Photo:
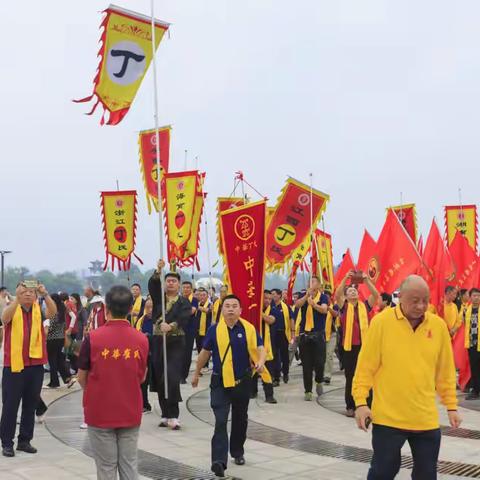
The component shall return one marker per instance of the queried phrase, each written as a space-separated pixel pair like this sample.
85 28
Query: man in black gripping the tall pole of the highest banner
178 310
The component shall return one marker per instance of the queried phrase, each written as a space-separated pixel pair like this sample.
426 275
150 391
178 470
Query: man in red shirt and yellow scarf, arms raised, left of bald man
354 324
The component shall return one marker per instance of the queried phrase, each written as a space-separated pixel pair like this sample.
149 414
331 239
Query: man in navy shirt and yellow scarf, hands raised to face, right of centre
310 327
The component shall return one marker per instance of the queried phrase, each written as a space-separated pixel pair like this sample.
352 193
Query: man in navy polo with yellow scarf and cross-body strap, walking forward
235 346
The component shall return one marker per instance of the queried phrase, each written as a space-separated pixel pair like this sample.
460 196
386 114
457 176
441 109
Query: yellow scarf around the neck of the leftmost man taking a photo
16 345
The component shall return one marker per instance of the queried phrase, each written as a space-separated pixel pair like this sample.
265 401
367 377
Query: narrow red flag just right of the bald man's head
437 266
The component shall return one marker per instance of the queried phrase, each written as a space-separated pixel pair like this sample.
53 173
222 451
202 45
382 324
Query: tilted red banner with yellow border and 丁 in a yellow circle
290 224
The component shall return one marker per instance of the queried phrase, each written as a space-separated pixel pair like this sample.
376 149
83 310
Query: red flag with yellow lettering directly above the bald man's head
397 256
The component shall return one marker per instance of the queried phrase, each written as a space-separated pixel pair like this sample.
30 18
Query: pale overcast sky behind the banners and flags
374 97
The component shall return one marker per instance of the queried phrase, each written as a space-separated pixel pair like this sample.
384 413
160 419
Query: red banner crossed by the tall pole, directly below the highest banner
147 141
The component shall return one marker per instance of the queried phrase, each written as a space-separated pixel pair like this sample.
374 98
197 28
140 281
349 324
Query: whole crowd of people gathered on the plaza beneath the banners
121 347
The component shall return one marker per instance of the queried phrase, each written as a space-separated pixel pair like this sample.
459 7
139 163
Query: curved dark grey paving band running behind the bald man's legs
198 405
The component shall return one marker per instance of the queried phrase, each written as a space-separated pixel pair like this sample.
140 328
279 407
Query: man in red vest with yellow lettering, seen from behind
112 366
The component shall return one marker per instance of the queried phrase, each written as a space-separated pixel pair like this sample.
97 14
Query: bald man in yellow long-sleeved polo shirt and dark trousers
407 359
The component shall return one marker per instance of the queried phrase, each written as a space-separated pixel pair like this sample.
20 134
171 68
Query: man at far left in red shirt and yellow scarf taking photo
25 353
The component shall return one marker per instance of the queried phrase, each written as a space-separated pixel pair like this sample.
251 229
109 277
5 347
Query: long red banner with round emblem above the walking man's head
243 235
